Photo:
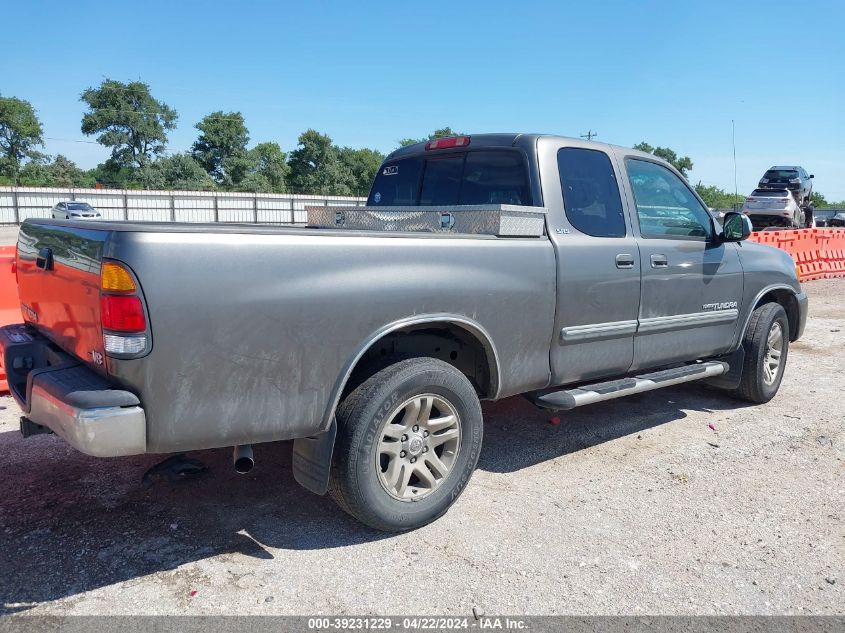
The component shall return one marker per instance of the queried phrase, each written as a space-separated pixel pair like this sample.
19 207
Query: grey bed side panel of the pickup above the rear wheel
251 331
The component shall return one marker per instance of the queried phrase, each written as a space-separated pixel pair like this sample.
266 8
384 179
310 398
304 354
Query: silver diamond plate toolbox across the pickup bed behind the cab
502 220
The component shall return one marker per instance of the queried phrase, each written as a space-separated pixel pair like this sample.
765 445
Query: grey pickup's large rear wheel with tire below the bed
371 462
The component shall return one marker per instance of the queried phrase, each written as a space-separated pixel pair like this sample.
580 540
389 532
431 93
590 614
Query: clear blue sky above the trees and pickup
672 72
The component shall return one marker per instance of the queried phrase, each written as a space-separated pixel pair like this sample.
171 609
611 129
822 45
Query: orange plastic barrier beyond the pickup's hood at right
818 253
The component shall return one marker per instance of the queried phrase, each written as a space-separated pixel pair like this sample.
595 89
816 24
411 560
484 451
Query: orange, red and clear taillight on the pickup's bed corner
121 311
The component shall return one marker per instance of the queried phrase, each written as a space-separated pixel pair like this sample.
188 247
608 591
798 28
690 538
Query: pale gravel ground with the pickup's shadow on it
628 507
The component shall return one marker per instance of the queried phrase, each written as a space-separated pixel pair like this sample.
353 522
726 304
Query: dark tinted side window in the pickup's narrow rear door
590 192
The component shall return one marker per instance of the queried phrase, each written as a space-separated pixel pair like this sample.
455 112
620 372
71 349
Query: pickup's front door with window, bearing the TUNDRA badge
691 281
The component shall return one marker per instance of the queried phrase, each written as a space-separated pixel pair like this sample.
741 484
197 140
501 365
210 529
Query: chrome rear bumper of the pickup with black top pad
56 391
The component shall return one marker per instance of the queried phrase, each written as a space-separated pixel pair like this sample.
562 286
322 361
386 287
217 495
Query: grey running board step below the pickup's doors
588 394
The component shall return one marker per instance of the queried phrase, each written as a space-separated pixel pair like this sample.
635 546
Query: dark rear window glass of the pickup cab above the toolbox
479 177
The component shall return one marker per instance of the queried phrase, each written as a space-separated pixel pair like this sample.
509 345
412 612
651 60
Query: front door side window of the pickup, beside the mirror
666 208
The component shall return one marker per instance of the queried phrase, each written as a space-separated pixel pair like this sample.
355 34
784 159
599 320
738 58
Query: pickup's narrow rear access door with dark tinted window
598 265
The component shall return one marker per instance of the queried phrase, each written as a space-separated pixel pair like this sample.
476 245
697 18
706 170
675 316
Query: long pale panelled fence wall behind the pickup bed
19 203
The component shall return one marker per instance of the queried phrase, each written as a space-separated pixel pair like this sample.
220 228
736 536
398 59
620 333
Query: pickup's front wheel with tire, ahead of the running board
759 381
